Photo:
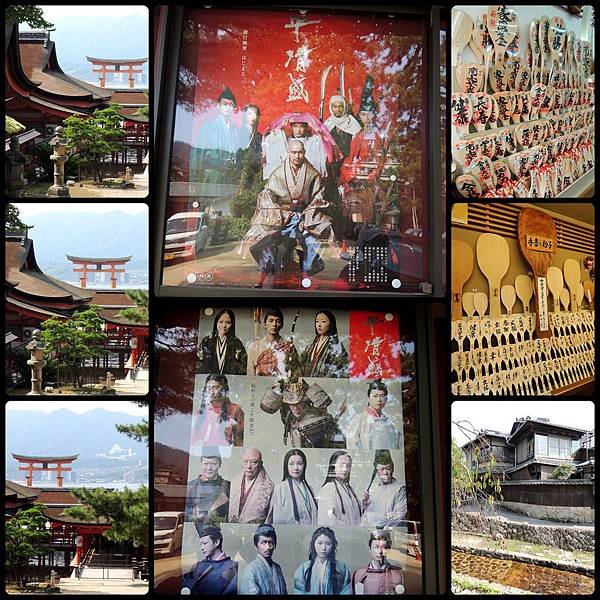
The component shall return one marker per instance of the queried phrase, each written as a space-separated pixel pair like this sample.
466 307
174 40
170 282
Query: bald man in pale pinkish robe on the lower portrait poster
251 490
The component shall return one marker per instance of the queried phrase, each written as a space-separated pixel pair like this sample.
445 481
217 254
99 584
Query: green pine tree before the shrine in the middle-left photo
75 341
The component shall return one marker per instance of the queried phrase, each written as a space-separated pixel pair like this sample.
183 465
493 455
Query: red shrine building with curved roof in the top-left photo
40 95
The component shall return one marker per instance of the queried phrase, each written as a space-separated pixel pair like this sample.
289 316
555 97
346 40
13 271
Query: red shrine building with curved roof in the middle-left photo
32 296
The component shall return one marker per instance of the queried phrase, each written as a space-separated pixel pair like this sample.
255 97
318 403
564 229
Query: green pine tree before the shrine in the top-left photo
96 137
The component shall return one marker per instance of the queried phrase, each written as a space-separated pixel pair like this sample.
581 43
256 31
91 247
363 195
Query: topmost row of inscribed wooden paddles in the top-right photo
494 39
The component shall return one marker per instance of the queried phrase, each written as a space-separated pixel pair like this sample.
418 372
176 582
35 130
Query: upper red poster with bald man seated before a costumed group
299 153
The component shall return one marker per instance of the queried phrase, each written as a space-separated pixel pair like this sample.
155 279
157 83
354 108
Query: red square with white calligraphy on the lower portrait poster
366 329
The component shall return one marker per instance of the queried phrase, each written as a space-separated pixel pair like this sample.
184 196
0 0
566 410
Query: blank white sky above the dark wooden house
489 414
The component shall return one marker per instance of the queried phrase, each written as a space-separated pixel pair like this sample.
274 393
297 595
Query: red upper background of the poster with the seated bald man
213 55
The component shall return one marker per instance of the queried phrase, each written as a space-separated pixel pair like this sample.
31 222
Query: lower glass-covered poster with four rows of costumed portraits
295 456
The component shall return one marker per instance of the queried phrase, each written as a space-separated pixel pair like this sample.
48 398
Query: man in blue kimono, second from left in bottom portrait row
263 575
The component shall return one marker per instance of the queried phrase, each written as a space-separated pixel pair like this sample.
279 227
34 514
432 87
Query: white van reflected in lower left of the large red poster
187 234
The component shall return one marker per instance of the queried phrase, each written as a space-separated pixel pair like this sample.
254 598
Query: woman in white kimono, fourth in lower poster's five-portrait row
338 503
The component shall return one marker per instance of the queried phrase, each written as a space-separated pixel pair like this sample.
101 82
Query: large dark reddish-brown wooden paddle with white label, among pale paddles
537 240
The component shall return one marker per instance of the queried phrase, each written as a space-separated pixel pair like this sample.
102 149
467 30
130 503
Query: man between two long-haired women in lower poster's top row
271 355
